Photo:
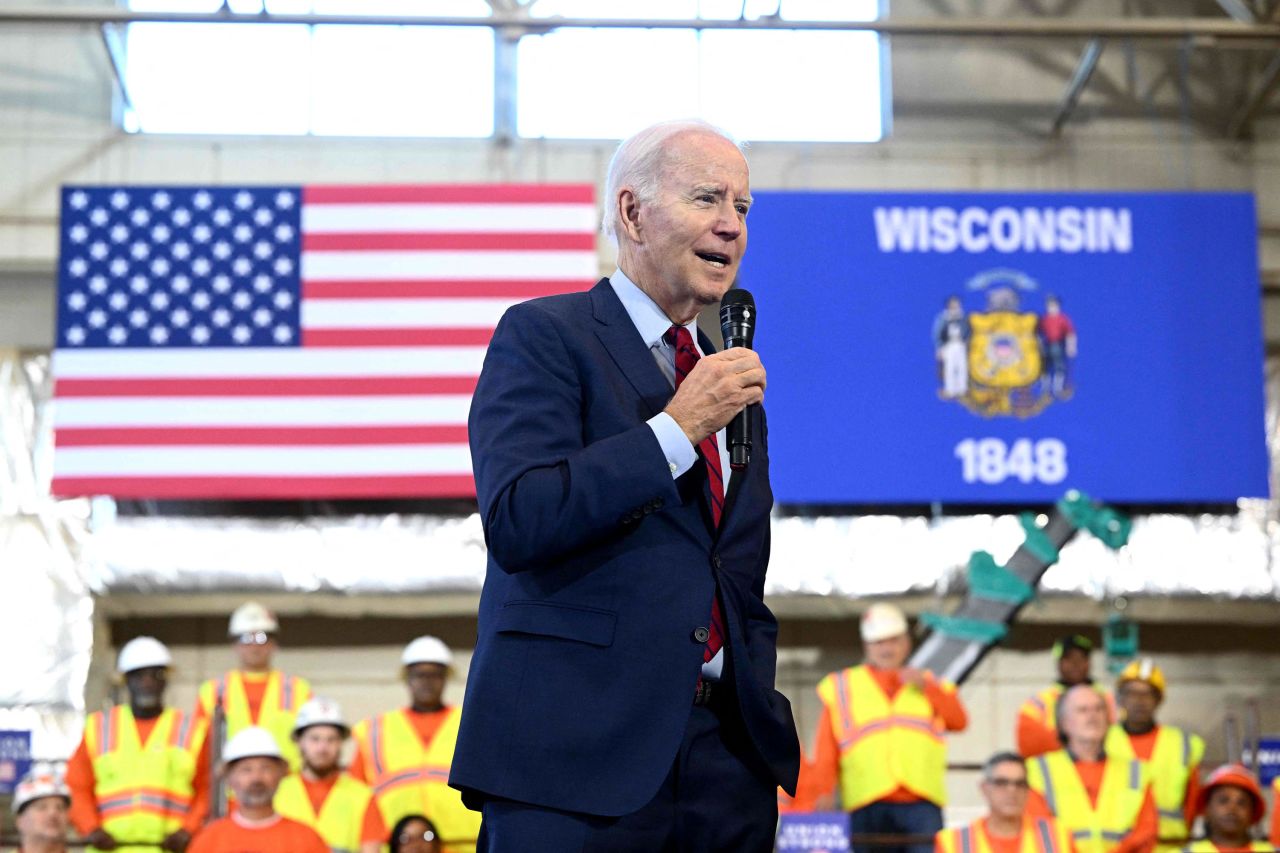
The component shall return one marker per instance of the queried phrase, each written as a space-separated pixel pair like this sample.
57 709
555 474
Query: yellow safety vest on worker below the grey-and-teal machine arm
884 746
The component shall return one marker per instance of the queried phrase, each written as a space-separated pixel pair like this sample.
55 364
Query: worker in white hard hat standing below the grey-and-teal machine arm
880 736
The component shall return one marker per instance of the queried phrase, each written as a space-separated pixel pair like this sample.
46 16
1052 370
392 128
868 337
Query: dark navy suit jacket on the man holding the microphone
601 571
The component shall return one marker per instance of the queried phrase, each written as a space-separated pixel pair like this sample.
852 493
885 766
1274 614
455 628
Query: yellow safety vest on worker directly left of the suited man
413 779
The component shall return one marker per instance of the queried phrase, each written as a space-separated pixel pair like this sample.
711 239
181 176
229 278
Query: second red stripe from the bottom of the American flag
257 436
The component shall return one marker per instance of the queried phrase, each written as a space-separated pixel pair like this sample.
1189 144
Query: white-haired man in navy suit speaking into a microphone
621 695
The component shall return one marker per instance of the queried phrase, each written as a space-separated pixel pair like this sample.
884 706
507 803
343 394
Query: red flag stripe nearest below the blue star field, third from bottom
266 387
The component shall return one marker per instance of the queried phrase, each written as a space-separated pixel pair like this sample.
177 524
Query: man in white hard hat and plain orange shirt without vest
254 769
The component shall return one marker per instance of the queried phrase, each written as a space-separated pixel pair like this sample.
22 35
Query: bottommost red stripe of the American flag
268 487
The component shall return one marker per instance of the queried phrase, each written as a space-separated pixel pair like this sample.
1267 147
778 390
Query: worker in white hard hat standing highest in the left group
257 695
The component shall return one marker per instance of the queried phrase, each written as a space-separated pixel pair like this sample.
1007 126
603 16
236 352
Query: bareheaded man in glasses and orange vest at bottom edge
1007 828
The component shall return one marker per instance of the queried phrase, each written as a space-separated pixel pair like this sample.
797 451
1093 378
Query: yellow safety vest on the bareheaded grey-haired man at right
1124 787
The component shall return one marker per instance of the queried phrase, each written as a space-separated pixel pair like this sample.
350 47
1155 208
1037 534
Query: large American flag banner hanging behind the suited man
292 343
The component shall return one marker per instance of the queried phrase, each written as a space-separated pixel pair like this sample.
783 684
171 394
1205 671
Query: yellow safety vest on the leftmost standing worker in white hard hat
144 791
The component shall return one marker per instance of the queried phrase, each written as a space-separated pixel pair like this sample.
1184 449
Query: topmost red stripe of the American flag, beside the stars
470 194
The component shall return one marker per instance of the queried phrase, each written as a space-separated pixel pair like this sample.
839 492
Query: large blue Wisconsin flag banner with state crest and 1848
1005 348
